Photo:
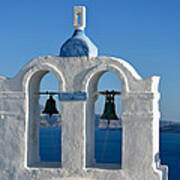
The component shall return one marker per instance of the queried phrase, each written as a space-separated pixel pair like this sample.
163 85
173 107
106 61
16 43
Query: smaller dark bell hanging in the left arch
50 107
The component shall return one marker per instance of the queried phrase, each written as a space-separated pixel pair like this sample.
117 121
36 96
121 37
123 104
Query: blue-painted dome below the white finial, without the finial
78 45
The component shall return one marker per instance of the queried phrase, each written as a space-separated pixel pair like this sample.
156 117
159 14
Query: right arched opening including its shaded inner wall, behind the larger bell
104 145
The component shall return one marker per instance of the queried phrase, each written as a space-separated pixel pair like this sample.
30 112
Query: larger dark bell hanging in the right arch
109 109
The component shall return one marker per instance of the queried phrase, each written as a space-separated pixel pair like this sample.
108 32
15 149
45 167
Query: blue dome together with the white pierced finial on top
79 44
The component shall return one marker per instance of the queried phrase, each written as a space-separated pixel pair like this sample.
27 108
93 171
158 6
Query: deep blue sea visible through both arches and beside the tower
108 147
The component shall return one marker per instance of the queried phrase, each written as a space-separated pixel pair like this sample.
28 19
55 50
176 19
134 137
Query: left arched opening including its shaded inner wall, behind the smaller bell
43 138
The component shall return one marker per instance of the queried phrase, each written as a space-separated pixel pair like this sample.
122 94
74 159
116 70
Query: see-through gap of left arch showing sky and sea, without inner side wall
49 131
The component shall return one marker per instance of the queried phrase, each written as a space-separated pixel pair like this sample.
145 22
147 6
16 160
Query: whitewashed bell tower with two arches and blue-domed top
78 69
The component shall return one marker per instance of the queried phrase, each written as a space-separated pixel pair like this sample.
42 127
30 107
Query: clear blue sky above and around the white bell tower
145 33
